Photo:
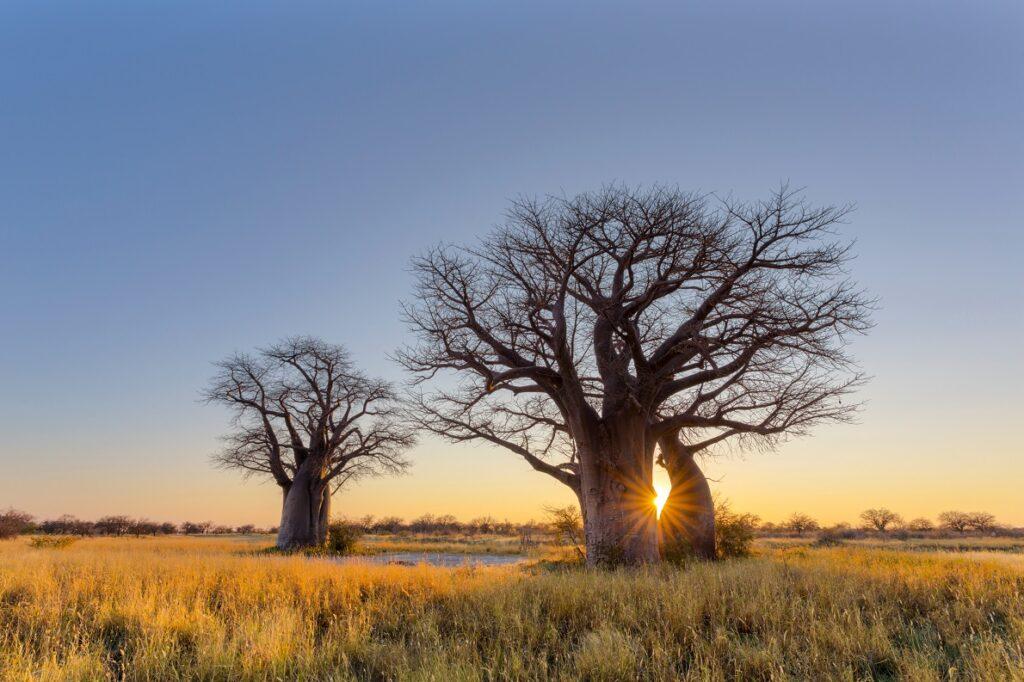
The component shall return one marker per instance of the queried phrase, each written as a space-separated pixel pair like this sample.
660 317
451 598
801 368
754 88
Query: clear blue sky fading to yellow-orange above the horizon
182 181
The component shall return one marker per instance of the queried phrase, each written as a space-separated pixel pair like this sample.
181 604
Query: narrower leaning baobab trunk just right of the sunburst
688 522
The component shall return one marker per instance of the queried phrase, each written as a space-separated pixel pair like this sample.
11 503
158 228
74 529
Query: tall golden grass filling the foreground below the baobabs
200 609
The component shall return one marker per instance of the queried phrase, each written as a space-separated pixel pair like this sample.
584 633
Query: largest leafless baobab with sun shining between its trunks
588 334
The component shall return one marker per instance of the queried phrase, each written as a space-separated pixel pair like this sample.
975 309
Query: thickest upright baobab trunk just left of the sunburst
617 495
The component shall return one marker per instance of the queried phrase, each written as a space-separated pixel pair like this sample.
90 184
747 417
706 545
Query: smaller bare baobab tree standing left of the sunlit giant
306 418
